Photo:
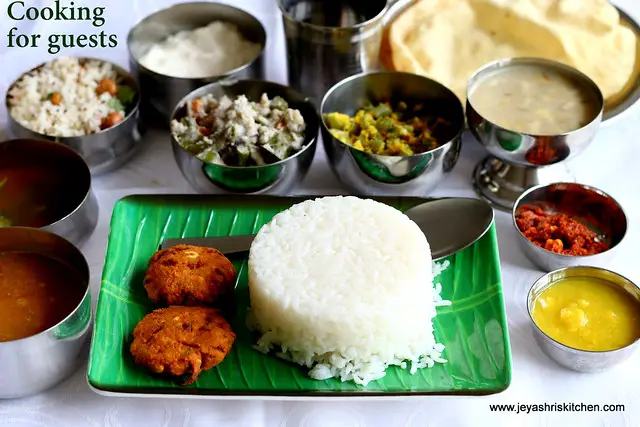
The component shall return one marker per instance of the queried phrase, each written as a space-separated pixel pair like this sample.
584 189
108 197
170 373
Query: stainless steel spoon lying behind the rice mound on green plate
450 224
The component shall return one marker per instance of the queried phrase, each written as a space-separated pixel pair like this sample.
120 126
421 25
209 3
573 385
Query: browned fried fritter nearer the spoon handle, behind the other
190 275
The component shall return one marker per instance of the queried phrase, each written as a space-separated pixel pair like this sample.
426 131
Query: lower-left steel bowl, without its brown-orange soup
31 365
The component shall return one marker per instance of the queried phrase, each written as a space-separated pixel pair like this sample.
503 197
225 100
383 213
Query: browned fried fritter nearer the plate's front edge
180 341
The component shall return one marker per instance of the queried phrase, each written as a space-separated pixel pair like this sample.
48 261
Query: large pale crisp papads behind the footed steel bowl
448 40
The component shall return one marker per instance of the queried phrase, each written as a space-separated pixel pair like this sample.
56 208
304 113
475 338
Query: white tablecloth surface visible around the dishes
610 163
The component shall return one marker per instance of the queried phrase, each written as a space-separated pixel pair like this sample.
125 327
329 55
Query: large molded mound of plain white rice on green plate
343 286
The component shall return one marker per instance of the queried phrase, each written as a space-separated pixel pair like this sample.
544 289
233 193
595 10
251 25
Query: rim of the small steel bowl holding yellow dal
565 347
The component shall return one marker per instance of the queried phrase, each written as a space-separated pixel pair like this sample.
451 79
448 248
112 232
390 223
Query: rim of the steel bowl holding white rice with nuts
122 72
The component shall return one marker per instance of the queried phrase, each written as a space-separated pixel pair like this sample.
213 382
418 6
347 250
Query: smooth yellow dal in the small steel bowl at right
588 314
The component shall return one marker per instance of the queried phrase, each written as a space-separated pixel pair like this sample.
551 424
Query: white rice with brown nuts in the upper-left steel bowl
81 110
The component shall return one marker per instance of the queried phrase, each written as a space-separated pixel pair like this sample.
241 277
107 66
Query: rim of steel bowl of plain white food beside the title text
263 42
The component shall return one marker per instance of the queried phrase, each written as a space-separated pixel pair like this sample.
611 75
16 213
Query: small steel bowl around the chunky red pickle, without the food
589 205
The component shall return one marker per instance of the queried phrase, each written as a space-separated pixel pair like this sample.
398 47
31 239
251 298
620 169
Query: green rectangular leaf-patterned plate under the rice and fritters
473 329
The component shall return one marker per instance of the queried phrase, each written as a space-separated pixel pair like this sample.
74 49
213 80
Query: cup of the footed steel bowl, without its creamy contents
518 148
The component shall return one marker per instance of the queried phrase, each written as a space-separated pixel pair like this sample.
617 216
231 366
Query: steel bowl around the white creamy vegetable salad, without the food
275 178
